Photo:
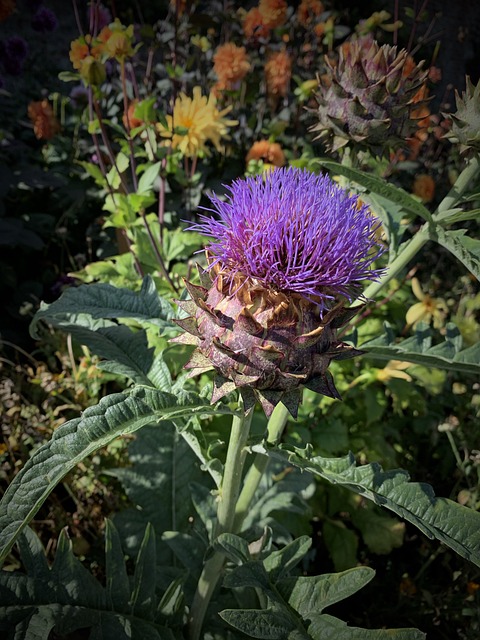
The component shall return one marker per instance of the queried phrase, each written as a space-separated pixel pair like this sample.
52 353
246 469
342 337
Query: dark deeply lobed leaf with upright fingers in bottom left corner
66 597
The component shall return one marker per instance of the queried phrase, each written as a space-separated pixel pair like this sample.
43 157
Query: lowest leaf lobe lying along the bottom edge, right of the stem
325 627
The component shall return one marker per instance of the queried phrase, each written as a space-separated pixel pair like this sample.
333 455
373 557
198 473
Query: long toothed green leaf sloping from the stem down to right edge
449 522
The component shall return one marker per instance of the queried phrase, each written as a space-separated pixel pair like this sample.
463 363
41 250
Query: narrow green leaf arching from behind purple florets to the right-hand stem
380 187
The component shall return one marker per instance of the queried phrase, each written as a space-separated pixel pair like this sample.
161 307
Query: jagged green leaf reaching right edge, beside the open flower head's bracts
418 349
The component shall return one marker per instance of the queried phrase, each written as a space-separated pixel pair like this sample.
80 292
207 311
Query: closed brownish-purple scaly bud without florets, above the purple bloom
367 96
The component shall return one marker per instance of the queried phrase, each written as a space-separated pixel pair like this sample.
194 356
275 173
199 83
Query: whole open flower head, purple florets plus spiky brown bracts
289 249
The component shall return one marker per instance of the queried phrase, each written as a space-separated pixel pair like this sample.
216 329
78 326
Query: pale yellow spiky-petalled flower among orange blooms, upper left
195 122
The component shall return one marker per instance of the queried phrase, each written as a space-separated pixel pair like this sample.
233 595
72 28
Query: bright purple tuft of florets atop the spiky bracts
294 231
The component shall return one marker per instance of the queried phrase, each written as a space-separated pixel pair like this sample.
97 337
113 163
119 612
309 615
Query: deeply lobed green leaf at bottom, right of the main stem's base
293 605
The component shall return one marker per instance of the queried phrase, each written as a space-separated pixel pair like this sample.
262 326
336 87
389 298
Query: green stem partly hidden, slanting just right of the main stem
275 428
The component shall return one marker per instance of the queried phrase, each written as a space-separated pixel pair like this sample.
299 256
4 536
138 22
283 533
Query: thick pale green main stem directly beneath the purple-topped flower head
228 496
